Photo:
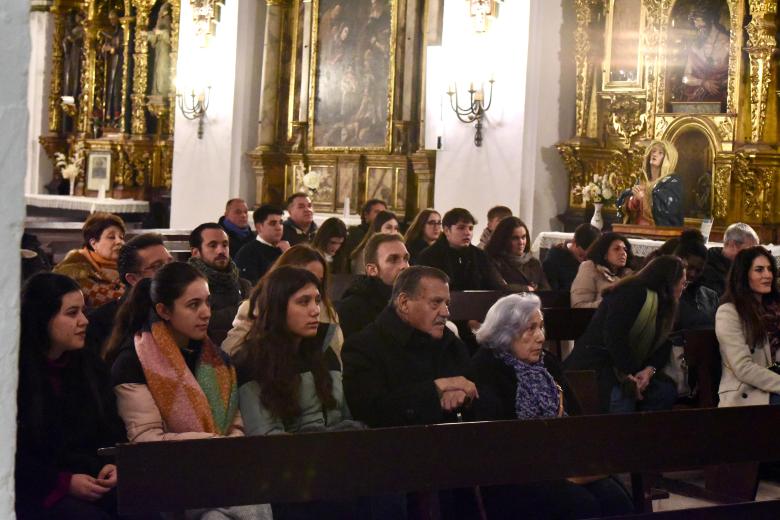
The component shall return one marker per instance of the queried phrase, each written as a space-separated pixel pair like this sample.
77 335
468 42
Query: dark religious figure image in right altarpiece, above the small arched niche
698 59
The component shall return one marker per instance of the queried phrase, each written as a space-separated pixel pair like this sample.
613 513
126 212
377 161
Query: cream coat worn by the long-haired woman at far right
745 379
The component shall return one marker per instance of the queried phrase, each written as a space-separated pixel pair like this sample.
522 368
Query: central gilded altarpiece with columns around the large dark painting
342 96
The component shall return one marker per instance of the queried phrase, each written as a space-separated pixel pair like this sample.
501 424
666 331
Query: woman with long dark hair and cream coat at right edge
748 328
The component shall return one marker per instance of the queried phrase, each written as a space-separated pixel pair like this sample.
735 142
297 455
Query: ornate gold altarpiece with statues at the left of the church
123 99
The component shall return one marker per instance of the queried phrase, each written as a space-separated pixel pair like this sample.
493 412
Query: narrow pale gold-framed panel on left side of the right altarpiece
623 61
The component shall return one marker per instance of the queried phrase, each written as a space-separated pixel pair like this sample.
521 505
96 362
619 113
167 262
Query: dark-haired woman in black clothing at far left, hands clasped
66 409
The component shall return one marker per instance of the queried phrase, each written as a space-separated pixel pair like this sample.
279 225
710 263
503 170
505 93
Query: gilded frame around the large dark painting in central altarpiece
387 147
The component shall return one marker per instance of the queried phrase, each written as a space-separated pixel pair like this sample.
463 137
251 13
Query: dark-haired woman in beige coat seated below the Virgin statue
608 261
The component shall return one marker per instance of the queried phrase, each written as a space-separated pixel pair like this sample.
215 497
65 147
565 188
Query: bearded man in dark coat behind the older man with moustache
386 257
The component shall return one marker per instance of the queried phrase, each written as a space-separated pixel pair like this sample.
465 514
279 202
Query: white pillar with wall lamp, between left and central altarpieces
209 171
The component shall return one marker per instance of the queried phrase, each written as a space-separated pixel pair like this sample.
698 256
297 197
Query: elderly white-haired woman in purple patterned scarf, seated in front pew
517 379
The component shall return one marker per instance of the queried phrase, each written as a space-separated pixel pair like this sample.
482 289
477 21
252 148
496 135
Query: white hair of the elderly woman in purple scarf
506 319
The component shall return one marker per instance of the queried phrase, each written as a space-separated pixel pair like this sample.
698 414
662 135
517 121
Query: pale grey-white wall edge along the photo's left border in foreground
14 60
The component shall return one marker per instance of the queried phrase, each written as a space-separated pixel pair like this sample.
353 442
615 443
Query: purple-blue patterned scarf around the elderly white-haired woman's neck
538 395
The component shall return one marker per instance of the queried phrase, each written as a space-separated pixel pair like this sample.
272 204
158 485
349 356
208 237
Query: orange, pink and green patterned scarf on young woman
205 401
